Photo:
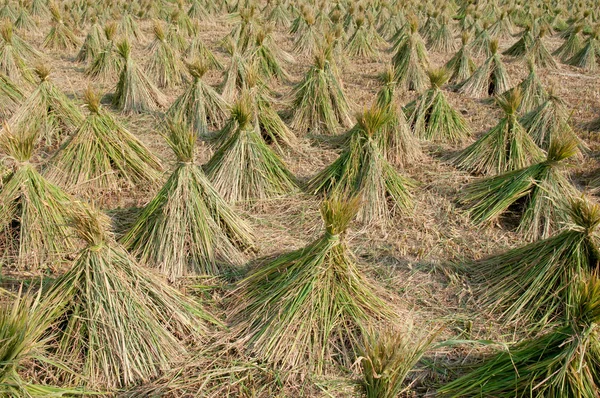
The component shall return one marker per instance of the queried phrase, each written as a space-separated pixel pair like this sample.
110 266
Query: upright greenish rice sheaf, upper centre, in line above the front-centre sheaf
319 104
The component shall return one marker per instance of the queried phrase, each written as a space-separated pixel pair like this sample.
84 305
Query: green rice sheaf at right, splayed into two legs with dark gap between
539 191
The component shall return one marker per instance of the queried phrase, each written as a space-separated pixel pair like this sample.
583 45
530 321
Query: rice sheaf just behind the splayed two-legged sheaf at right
505 147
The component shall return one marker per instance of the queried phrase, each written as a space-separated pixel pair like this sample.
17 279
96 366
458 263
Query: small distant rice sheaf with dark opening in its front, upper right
490 78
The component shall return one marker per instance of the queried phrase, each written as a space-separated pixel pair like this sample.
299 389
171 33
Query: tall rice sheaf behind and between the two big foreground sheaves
187 228
